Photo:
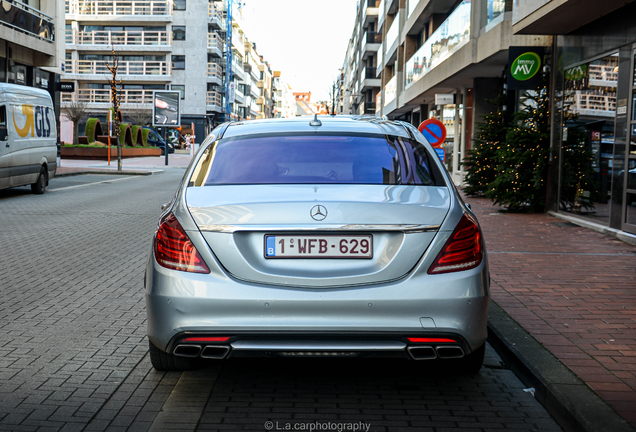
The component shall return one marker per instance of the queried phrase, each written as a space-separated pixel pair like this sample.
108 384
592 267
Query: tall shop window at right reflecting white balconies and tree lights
589 110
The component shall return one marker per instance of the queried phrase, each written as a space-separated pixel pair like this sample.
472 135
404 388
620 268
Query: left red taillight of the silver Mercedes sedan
174 250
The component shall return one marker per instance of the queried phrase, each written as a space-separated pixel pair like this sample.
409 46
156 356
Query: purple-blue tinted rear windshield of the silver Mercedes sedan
316 159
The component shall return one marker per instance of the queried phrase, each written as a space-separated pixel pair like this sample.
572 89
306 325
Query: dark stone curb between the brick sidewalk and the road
565 396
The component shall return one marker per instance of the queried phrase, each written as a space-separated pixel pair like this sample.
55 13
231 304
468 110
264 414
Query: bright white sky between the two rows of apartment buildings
304 39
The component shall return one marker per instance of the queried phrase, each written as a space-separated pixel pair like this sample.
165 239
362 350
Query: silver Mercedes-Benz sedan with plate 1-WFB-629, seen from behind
324 237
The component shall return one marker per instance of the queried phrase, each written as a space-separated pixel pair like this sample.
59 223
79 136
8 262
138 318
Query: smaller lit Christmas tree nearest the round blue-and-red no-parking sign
481 161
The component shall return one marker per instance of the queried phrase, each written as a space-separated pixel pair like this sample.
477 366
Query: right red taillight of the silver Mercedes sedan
463 250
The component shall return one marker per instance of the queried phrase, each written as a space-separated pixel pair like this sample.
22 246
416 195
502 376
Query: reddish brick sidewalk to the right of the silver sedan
572 289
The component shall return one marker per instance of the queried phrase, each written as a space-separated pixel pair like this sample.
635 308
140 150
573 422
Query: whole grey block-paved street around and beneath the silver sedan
73 352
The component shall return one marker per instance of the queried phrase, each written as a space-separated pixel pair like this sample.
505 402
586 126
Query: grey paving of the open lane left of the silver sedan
72 319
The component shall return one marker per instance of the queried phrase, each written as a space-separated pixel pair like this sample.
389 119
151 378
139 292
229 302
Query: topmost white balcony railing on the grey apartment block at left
115 7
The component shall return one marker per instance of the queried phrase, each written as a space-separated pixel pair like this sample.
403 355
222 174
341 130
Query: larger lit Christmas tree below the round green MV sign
520 183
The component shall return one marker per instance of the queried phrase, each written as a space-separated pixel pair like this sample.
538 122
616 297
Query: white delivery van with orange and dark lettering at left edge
28 138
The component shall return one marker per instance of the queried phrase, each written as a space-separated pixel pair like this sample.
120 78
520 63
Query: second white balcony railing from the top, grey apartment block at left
126 37
